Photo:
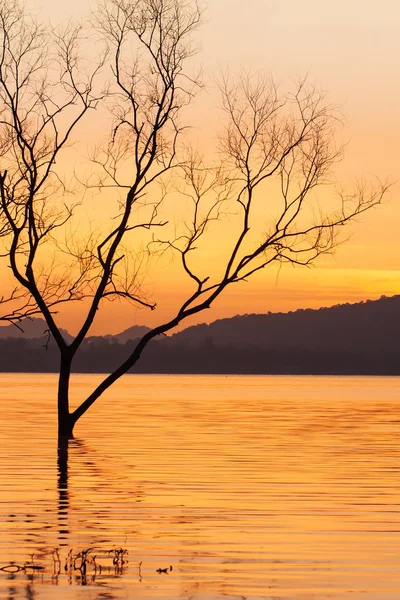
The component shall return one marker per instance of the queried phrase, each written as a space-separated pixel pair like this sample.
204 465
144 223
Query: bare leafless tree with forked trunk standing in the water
275 150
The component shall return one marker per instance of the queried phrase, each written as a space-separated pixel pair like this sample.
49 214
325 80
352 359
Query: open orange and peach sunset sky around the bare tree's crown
350 49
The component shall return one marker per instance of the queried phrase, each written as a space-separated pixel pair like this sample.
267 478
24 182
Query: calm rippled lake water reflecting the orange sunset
247 486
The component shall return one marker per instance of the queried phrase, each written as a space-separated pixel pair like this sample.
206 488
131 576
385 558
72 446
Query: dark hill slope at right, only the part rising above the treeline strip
345 326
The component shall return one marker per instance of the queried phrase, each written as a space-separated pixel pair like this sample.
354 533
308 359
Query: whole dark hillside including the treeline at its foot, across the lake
362 338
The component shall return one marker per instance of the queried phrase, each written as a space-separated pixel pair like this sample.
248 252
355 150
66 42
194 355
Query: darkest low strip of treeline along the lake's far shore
18 355
